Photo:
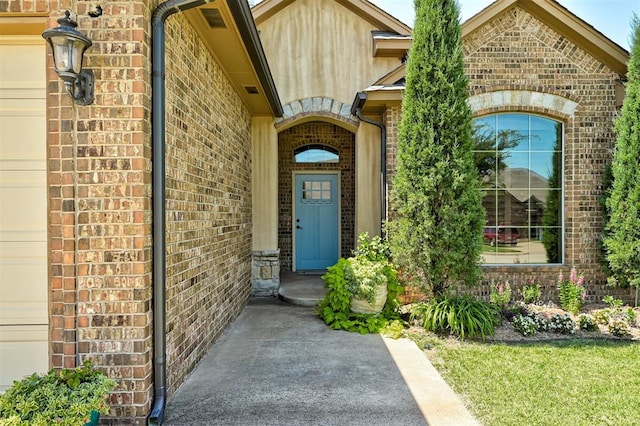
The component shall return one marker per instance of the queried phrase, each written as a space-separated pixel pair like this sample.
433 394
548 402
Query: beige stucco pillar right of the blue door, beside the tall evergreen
368 179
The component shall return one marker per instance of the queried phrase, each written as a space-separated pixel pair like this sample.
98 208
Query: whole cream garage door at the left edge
24 346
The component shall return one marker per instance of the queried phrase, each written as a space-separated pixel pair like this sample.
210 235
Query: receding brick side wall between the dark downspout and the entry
208 201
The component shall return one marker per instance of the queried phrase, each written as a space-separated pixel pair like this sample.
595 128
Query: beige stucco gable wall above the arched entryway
319 48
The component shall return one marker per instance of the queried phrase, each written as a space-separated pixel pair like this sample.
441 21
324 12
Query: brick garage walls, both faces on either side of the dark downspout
100 203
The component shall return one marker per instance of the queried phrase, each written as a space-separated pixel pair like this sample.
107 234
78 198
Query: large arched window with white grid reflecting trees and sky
519 159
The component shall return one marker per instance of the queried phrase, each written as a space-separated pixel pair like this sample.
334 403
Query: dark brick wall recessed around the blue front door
315 133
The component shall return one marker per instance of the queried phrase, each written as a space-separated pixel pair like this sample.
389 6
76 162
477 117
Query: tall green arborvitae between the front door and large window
436 228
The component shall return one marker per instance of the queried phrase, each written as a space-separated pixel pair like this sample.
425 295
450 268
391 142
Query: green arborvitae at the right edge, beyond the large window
622 240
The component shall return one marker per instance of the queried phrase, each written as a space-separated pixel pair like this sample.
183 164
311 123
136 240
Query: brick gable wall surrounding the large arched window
516 52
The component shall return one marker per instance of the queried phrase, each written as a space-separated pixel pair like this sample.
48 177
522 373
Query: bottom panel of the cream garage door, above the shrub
23 351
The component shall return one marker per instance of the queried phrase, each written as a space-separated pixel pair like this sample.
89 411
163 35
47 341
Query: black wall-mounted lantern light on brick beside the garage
68 46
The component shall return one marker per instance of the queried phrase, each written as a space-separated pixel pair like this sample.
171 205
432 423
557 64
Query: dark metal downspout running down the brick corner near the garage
160 15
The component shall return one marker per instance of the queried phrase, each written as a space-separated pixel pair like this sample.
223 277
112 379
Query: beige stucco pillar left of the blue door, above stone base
264 156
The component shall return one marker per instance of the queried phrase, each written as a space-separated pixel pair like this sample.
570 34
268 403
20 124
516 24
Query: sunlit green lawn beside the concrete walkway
574 382
